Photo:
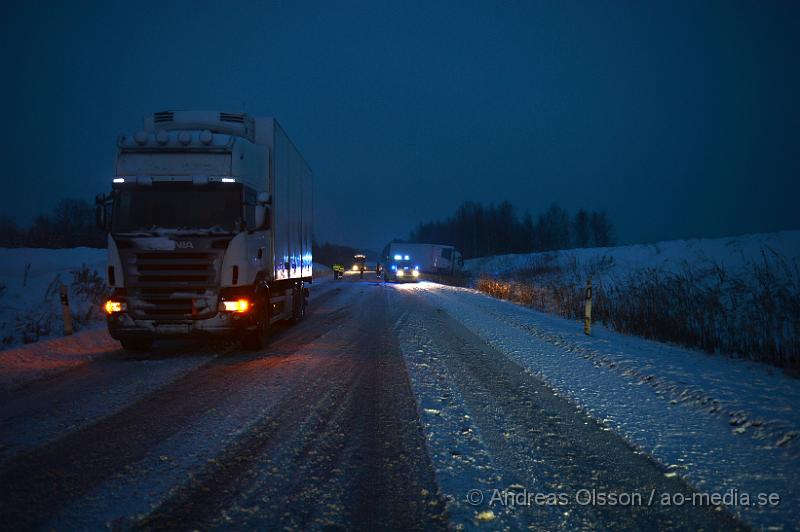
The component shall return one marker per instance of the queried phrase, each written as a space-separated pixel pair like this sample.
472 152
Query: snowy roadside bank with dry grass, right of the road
737 296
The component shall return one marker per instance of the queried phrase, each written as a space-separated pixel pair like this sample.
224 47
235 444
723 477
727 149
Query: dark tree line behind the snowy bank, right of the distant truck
481 230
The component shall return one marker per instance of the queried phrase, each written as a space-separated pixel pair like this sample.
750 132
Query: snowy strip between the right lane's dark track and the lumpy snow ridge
688 441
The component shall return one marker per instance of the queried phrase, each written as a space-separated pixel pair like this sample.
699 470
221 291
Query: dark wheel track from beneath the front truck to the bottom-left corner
39 484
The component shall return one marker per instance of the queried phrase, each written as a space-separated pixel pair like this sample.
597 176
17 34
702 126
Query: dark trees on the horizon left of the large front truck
70 224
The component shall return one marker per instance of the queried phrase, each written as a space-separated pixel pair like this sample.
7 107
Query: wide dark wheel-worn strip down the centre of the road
349 454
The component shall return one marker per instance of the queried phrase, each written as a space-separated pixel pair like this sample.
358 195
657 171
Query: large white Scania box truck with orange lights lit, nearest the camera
209 229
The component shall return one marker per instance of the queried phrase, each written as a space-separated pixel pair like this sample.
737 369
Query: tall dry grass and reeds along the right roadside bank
752 314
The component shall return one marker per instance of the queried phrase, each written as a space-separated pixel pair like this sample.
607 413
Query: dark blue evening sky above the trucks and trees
679 118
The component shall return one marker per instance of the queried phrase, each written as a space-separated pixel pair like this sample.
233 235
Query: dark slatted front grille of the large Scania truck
173 285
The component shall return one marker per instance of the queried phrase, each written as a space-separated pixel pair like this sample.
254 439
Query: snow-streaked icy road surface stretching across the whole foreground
391 407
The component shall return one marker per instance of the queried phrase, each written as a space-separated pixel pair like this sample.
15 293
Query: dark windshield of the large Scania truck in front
178 207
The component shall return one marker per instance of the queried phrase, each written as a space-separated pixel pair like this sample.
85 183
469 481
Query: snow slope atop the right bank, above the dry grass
733 253
